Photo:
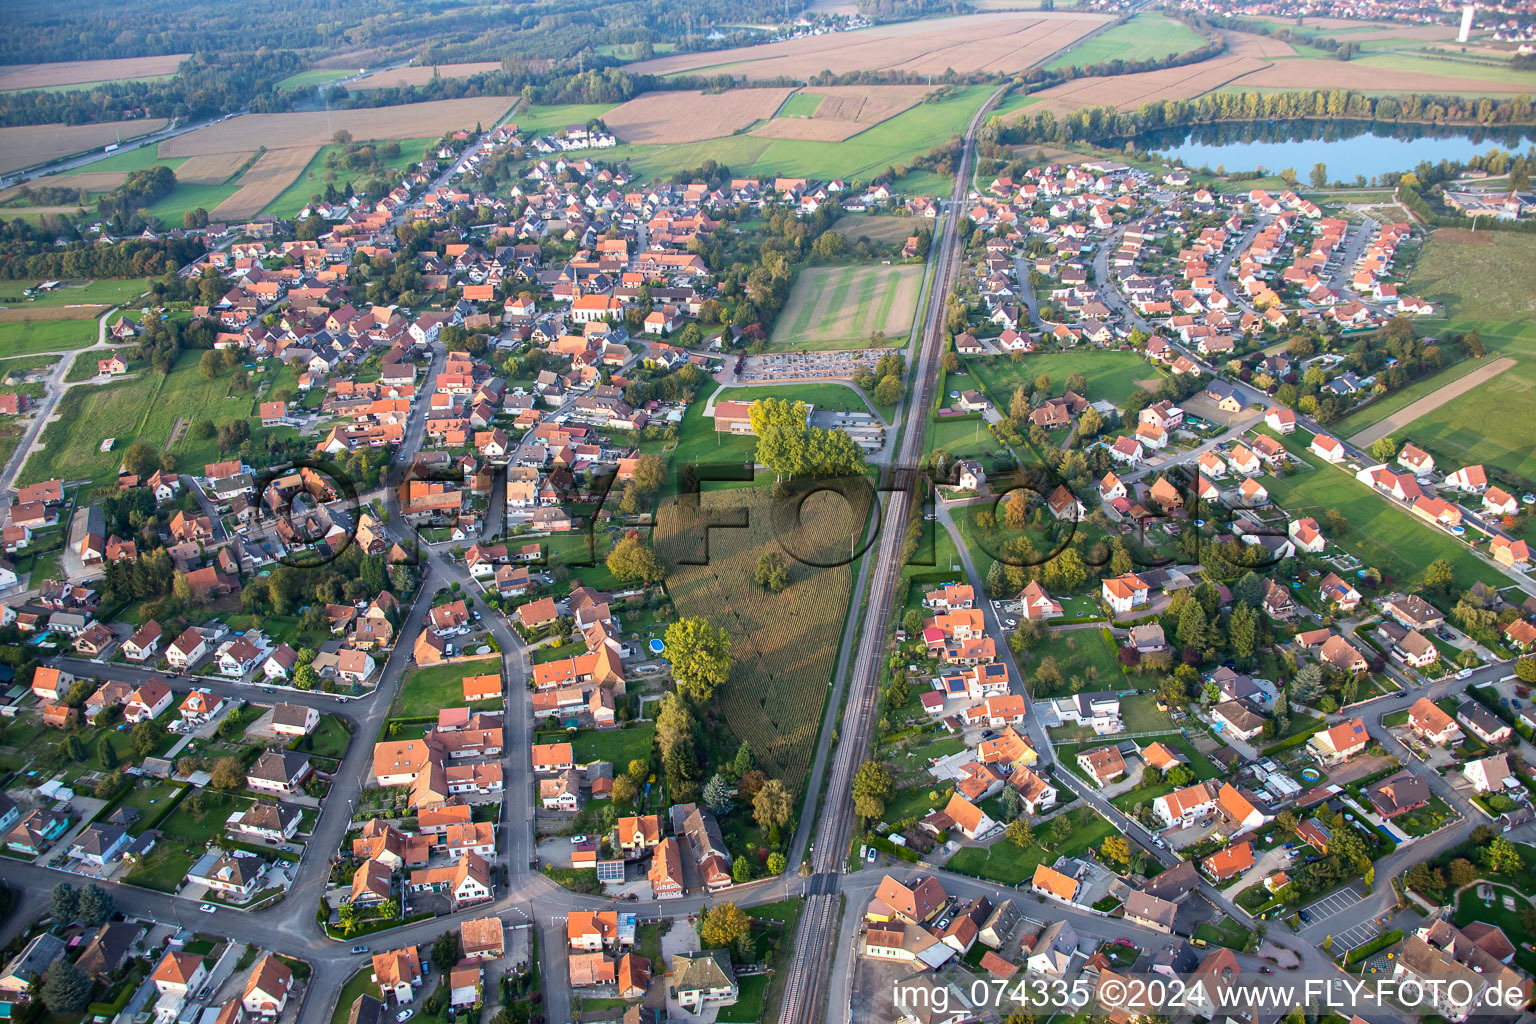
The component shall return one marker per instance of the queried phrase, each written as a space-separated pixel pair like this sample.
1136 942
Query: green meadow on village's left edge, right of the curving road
144 409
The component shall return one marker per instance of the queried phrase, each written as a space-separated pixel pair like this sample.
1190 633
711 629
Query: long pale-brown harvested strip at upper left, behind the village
311 130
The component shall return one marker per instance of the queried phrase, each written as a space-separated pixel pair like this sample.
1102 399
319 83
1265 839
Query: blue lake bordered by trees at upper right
1349 150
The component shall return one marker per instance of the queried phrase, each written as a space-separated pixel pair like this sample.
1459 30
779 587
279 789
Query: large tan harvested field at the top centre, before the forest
1002 42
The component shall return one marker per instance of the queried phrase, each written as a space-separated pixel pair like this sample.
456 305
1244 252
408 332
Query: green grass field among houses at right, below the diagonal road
1379 533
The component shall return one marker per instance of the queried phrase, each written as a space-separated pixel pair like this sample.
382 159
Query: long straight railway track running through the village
816 936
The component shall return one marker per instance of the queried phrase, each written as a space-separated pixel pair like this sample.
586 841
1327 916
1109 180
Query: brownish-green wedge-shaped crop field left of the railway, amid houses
784 646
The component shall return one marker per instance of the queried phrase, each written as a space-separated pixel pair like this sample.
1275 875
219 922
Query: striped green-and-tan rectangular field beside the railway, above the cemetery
838 308
